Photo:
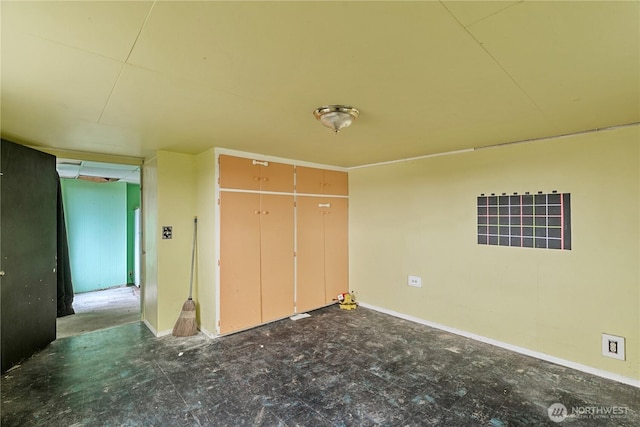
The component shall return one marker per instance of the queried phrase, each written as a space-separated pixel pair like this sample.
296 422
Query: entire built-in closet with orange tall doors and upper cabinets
283 248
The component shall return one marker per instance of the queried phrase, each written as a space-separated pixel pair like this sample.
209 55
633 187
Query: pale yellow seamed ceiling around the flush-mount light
129 78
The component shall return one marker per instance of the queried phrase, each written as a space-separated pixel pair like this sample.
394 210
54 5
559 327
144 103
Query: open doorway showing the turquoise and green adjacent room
102 205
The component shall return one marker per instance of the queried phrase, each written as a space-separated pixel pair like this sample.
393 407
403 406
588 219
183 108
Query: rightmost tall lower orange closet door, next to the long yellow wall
336 247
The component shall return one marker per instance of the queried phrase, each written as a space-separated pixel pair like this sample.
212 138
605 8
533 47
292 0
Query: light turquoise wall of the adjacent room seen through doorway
96 218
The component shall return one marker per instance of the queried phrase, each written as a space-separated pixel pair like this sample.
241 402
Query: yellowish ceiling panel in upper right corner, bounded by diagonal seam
571 59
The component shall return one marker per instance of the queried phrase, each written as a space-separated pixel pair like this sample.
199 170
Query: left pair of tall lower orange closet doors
256 263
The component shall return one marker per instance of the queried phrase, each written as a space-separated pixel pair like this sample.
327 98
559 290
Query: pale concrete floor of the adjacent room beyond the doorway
99 310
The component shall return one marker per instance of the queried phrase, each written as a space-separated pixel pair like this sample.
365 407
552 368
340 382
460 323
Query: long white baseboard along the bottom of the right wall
542 356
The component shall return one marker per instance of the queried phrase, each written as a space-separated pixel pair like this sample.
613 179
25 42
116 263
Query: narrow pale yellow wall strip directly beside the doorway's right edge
149 288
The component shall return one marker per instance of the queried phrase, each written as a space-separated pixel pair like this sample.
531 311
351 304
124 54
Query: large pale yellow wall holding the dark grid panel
419 217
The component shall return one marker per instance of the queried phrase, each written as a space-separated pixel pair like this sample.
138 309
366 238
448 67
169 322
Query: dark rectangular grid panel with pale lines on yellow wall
525 220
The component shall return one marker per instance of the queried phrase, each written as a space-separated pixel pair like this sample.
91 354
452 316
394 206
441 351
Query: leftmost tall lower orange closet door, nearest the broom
240 305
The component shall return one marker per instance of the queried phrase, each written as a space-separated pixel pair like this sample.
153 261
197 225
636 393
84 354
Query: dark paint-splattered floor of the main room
335 368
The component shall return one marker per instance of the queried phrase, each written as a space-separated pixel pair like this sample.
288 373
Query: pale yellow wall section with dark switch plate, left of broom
176 189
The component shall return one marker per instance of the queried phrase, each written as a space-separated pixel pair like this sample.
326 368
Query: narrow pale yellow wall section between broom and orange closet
204 290
